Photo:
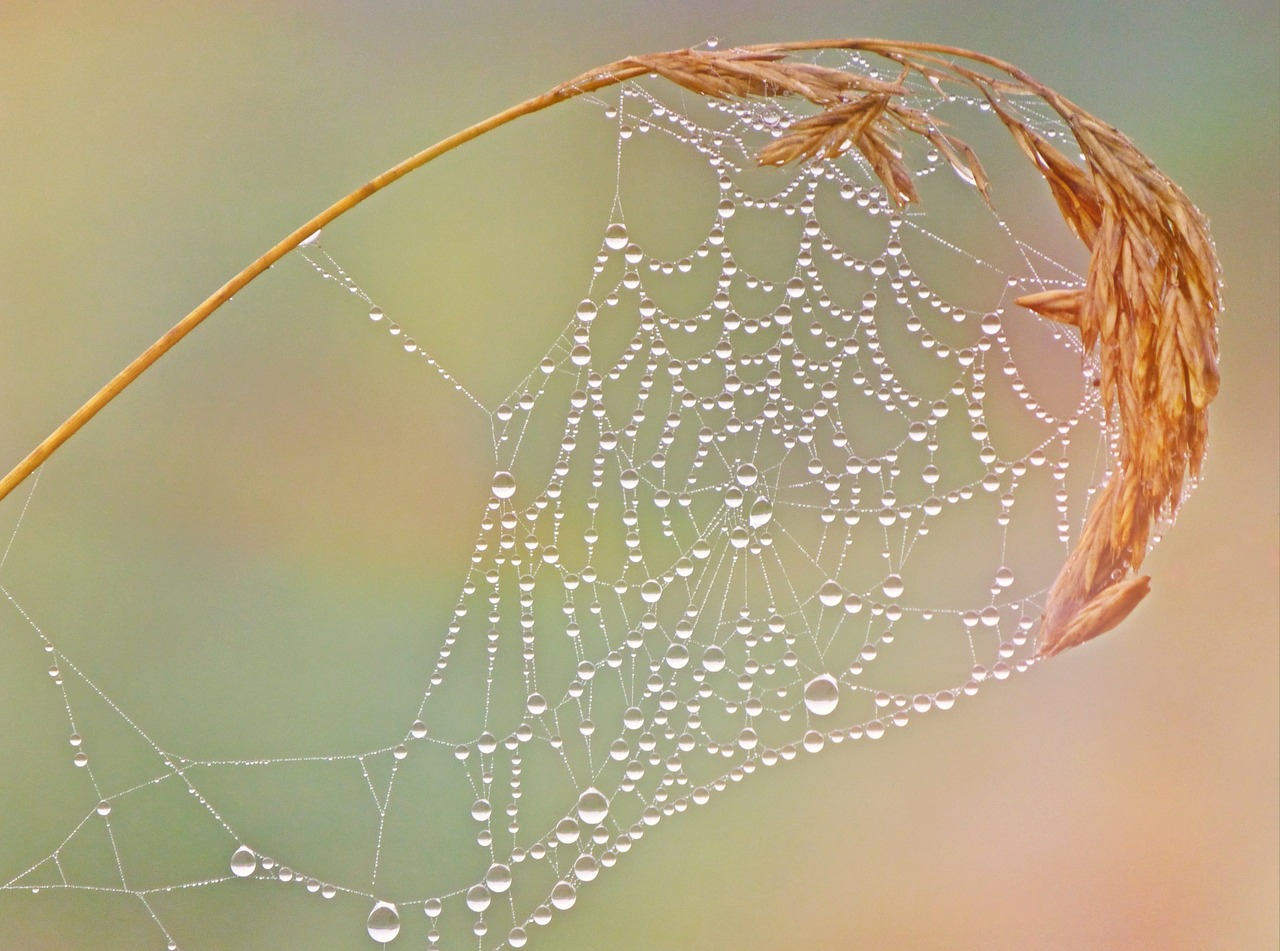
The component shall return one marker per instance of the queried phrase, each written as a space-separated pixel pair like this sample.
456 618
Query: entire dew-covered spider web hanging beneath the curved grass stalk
742 511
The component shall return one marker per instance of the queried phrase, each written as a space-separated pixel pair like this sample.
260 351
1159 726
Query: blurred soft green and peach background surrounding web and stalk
1123 797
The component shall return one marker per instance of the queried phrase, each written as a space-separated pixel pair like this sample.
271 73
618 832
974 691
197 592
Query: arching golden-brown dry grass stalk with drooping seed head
1150 303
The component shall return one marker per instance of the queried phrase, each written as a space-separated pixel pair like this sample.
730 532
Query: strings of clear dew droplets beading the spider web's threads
703 662
